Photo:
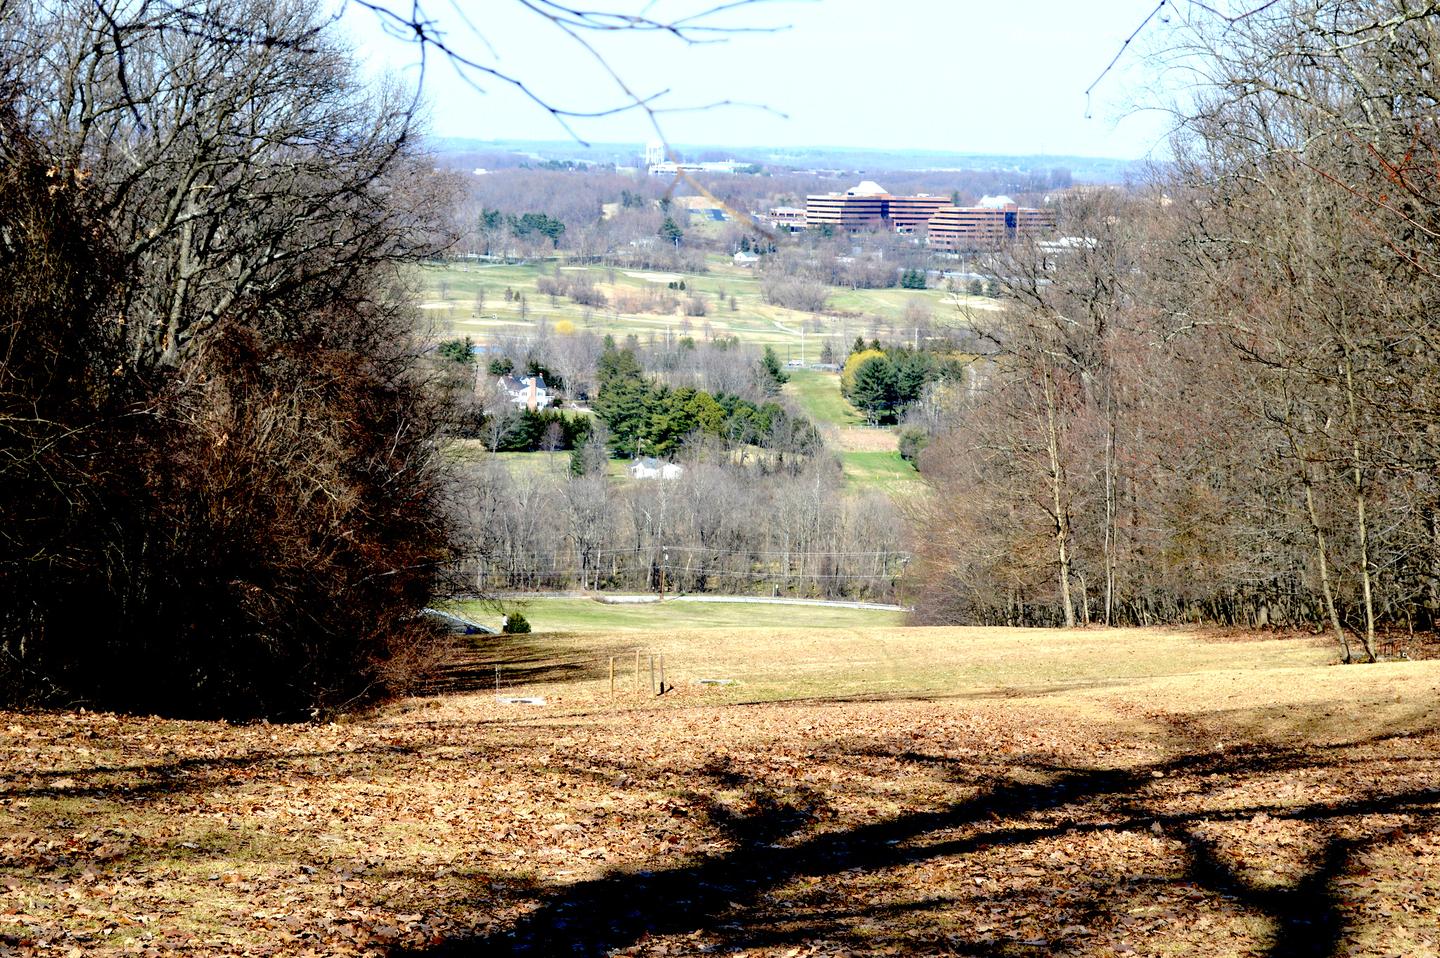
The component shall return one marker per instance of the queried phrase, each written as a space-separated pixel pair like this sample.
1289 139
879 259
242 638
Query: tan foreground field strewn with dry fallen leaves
879 792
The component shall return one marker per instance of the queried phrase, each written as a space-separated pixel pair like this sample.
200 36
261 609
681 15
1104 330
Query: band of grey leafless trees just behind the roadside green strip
721 528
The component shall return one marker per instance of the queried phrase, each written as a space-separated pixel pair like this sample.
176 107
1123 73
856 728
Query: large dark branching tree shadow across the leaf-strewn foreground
731 897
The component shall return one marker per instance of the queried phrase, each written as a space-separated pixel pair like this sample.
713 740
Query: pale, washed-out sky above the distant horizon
963 76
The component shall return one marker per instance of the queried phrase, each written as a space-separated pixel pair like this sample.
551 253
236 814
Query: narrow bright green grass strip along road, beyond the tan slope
588 616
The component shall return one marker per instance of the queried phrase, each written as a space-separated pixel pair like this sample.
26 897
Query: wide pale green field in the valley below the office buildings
449 302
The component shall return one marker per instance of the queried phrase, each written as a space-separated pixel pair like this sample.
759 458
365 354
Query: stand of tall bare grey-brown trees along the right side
1220 400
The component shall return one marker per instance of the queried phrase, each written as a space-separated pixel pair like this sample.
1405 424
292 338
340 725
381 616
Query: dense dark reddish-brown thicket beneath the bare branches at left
247 532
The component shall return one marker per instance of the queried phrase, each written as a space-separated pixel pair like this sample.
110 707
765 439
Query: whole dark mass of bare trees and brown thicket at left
220 459
